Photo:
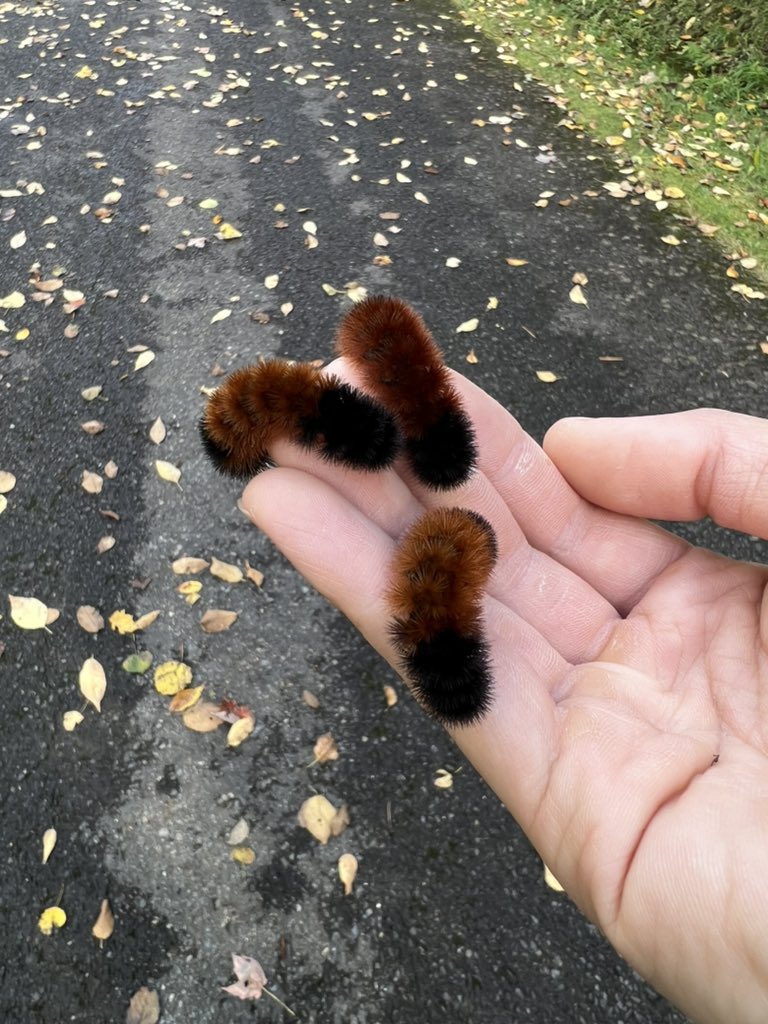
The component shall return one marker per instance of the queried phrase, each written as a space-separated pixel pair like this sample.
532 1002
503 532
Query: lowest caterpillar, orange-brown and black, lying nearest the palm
439 578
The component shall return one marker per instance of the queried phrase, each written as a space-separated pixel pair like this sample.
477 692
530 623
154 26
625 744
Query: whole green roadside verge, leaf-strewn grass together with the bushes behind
680 105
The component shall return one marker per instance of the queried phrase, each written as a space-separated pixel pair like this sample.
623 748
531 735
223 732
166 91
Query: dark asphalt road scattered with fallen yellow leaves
333 114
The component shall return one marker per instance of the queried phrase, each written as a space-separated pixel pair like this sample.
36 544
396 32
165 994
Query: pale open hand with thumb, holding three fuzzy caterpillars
629 732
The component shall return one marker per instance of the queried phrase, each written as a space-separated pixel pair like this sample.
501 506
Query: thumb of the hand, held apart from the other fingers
681 466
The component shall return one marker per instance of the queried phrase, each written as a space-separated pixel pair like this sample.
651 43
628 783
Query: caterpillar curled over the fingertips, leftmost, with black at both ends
276 400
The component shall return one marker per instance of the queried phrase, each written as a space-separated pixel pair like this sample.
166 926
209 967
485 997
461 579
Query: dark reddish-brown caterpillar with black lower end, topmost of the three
401 365
